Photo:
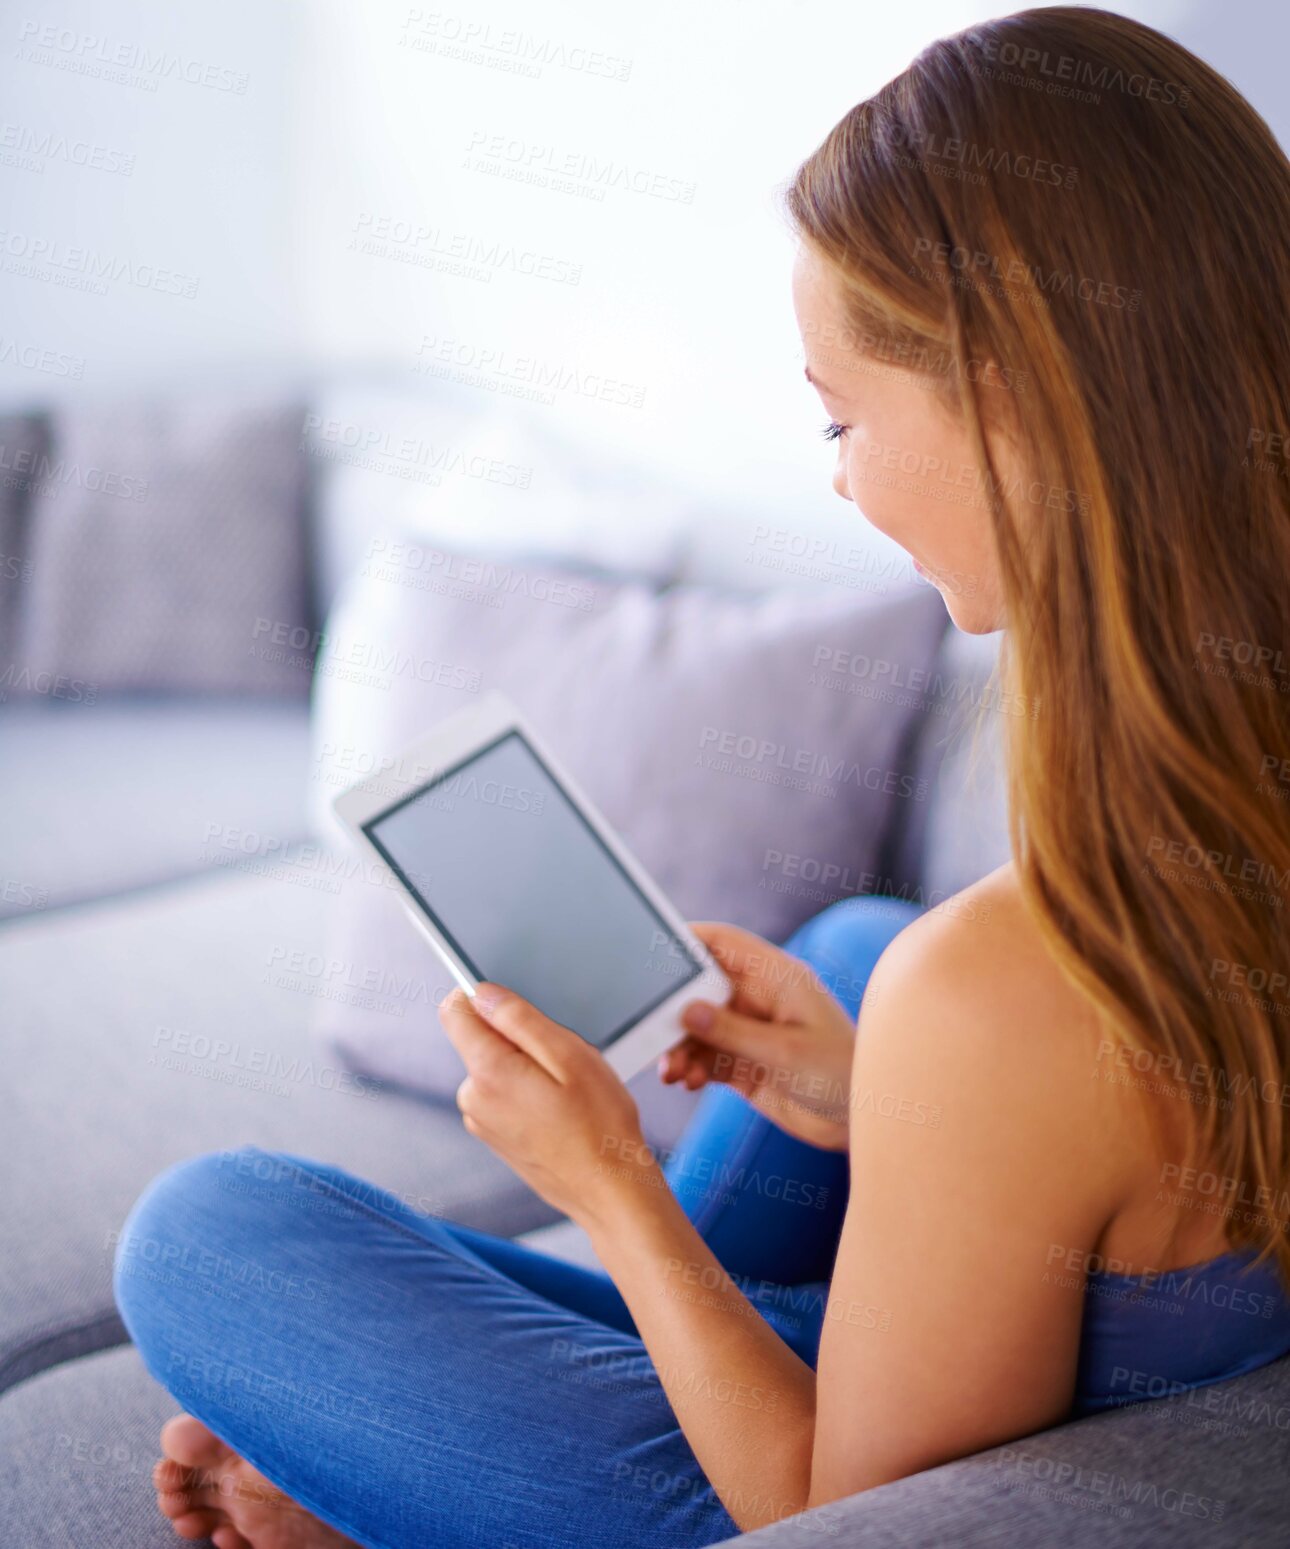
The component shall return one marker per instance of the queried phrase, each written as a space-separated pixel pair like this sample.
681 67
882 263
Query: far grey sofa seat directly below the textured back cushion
134 792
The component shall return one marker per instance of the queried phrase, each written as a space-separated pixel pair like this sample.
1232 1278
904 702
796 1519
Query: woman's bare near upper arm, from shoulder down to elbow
983 1164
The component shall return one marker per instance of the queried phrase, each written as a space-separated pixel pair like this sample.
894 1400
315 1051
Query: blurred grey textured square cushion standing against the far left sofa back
168 551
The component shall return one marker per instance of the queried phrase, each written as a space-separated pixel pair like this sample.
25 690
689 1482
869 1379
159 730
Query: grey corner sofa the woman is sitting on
151 958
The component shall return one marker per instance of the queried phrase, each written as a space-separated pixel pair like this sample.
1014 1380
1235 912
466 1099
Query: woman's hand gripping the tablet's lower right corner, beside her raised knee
784 1042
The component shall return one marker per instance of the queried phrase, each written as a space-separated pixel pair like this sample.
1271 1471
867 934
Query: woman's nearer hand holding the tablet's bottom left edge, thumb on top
547 1104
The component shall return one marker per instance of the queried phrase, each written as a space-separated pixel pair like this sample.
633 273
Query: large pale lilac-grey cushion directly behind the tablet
752 777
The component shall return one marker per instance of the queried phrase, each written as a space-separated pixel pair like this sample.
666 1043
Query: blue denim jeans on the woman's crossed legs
416 1382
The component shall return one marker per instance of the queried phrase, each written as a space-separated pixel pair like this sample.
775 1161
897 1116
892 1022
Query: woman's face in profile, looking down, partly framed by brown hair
904 458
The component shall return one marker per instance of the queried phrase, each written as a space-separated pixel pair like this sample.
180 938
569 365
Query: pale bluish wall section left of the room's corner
111 153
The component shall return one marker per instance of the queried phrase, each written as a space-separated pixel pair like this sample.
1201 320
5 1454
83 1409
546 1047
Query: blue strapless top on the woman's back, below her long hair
1187 1328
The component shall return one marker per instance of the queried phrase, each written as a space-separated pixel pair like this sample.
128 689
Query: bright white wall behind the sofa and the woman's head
360 115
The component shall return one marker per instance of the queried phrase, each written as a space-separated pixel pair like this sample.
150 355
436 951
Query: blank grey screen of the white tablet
523 888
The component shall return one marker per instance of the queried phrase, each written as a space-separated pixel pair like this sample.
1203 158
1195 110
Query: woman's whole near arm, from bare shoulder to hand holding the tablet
975 1161
